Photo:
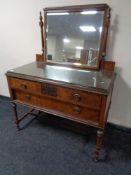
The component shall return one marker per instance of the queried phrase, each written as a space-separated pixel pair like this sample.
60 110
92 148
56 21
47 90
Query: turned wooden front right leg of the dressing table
98 144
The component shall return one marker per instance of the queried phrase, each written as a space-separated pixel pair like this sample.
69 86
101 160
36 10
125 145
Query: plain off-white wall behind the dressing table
20 41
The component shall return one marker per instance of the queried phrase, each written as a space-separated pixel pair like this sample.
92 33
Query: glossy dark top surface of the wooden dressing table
96 81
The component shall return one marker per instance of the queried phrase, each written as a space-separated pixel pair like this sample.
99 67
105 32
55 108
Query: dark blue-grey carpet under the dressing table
44 149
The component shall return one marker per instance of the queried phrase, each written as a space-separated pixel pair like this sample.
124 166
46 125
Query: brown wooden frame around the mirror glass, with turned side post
78 8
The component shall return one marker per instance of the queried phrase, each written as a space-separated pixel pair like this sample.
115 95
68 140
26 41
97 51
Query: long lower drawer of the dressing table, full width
71 111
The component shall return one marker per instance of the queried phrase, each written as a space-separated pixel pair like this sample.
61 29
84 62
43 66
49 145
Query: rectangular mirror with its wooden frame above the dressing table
76 35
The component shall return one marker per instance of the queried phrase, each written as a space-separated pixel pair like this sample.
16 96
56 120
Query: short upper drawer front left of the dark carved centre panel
24 85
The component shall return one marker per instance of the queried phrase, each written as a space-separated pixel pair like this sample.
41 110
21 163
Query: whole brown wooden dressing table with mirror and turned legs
71 78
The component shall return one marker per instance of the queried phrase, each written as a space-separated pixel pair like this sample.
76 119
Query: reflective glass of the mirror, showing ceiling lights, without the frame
74 38
